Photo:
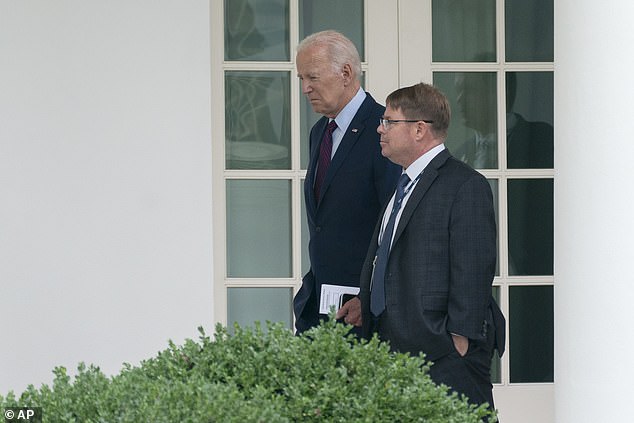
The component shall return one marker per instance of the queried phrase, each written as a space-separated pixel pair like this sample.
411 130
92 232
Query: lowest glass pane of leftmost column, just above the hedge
249 305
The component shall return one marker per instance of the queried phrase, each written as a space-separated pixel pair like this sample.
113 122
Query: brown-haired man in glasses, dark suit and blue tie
426 282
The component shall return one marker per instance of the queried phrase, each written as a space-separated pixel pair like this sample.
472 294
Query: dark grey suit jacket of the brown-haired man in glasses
441 265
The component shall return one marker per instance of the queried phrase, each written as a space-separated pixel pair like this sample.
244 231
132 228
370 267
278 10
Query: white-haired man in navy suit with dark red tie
348 181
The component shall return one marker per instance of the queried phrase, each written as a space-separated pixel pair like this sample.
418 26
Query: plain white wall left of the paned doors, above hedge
105 182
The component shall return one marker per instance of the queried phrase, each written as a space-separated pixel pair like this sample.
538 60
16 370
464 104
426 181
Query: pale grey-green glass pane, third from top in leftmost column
258 228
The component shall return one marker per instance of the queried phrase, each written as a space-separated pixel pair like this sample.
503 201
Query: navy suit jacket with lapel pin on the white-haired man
359 182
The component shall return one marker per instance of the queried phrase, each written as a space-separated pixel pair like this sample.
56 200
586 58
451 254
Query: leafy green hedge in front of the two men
256 375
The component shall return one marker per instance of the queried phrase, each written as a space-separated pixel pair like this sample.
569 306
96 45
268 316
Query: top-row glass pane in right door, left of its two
463 31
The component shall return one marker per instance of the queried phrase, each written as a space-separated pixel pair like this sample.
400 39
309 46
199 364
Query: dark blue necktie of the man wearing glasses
377 293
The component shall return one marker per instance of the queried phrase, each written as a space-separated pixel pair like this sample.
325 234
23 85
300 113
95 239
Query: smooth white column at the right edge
594 211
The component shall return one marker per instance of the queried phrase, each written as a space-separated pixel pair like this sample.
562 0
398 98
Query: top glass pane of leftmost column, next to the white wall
257 30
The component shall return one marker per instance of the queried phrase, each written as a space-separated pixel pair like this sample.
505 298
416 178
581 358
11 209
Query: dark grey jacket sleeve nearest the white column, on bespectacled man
472 250
